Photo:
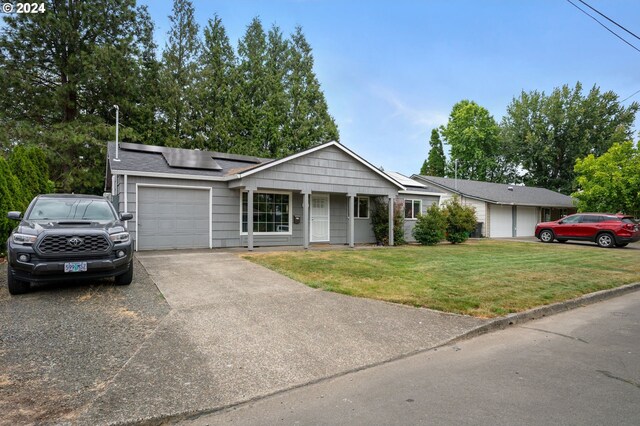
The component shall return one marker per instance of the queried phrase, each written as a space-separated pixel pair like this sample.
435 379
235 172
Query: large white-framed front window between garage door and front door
270 212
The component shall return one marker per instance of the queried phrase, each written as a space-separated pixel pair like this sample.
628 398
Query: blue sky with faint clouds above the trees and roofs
391 71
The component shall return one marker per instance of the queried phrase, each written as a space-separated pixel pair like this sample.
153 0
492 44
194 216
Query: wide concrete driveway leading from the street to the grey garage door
237 331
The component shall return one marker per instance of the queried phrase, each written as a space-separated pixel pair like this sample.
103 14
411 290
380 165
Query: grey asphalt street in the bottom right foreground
580 367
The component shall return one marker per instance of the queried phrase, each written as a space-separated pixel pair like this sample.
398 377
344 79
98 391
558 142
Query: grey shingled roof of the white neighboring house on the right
500 193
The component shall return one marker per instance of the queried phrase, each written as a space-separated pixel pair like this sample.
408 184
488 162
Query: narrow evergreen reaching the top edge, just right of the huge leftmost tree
179 72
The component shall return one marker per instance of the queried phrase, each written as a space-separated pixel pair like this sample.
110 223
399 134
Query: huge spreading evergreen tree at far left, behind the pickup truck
62 71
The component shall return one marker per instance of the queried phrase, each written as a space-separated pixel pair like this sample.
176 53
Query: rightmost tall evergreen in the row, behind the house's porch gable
309 121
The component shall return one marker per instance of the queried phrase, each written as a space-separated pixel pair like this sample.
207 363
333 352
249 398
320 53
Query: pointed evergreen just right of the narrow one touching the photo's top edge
217 91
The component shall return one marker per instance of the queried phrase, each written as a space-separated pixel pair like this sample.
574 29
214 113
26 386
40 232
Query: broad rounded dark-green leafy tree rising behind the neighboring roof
546 134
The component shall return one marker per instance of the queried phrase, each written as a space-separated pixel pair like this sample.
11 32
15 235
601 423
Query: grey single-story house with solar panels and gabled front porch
195 199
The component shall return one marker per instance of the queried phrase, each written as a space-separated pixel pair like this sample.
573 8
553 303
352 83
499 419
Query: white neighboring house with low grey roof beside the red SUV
504 210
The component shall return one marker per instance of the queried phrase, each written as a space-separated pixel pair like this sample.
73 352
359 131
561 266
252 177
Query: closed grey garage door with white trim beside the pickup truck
172 218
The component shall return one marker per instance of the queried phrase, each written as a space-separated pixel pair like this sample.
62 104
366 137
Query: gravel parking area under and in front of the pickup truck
62 344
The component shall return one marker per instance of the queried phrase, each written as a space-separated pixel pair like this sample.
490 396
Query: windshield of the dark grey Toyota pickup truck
71 209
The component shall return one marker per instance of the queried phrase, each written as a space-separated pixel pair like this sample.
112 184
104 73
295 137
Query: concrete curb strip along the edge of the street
500 323
